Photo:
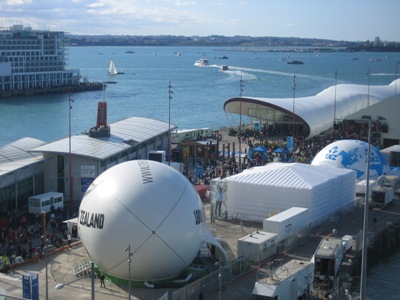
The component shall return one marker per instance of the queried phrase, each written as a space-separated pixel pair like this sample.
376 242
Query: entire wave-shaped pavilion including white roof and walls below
339 107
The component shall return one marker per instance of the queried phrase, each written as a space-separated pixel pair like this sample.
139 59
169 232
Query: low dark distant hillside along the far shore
223 41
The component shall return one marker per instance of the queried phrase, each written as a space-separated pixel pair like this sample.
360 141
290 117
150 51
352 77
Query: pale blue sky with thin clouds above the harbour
342 20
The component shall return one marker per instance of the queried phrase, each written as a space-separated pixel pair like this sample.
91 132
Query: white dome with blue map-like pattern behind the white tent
352 154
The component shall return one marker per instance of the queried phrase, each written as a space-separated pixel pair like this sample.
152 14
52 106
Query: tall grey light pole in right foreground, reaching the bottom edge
363 284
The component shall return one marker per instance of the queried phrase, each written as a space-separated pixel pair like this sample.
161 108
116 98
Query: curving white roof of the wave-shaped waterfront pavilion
315 112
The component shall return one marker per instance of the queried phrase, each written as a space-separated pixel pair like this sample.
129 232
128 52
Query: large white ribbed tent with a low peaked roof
260 192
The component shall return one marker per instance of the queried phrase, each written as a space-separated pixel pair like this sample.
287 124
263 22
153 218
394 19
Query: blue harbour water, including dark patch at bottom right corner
198 96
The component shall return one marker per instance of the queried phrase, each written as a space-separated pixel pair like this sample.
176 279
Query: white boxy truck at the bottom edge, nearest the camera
290 281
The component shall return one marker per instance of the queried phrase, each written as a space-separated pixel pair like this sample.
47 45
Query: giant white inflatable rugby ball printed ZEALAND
149 206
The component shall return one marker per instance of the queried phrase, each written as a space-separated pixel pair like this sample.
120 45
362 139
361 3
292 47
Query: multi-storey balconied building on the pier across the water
33 61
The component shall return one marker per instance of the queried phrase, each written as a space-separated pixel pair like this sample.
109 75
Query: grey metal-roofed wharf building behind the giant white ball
30 167
